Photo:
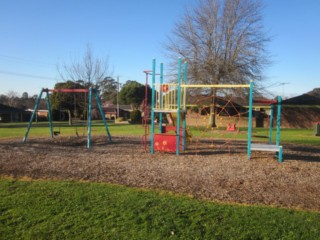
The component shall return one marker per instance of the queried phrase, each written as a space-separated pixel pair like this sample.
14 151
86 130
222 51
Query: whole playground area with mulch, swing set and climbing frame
235 167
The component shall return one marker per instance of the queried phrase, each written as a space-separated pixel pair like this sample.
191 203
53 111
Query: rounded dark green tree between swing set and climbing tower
133 93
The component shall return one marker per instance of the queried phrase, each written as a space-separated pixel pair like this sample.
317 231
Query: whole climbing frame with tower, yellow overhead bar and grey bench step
169 102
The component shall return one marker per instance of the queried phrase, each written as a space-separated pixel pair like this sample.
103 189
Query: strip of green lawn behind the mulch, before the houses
41 129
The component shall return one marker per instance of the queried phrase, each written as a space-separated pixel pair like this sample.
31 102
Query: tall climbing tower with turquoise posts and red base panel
168 100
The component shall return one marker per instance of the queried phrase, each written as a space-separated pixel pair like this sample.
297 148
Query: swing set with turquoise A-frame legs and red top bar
91 91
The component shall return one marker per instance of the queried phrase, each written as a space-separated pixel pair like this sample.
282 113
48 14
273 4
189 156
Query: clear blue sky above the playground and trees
36 35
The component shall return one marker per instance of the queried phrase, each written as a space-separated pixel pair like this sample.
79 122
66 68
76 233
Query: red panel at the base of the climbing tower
166 142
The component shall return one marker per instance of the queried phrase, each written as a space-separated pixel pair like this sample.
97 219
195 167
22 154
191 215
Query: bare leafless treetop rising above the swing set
90 70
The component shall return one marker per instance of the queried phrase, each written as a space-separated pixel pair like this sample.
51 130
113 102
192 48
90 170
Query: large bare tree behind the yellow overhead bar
223 42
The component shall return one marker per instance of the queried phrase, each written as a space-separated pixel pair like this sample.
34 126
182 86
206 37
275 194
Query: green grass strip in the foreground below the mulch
75 210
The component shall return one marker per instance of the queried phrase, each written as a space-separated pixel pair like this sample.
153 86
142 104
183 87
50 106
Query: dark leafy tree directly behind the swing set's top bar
73 103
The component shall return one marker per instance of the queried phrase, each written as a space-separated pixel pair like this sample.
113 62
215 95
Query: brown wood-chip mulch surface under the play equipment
207 170
